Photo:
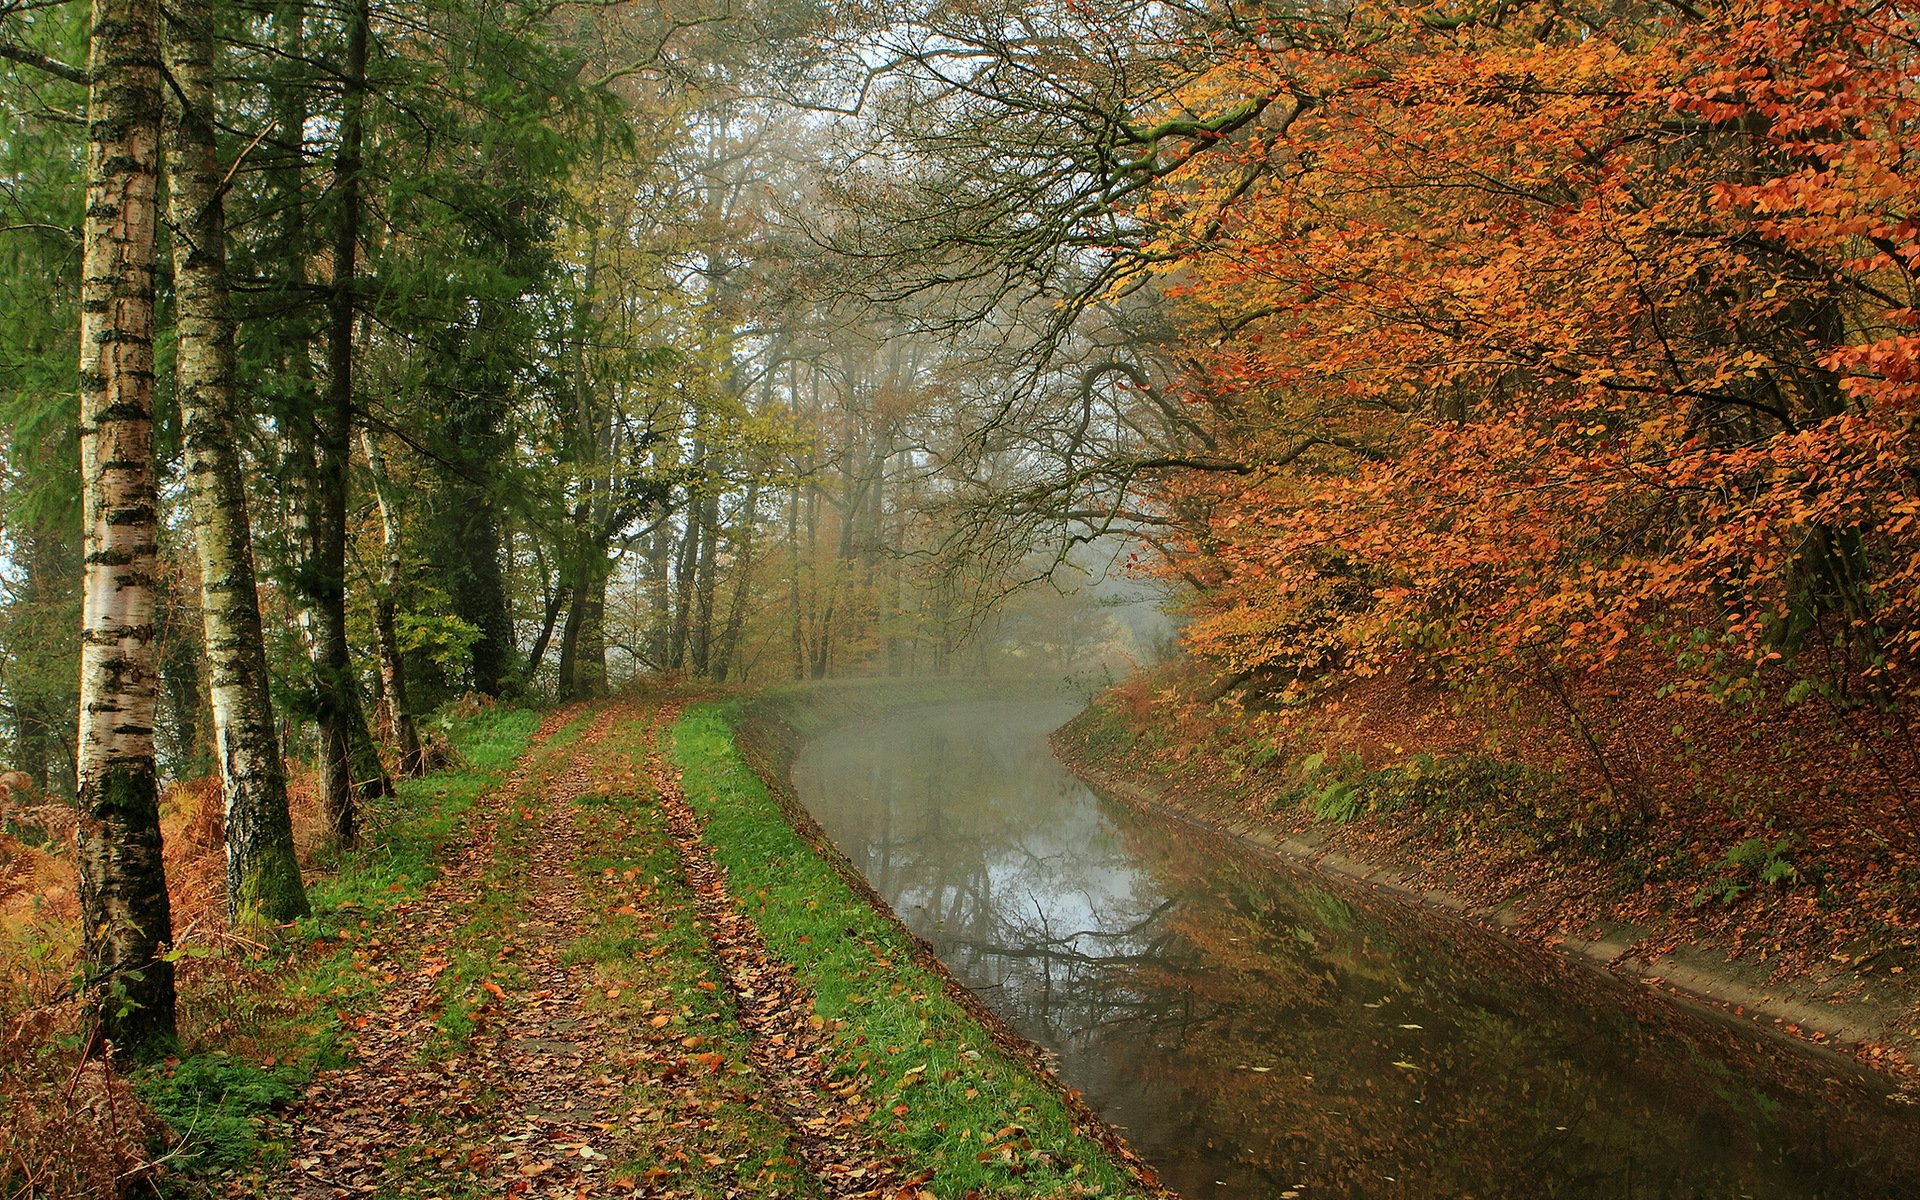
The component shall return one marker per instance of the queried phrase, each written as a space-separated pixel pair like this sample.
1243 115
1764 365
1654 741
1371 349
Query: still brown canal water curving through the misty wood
1260 1032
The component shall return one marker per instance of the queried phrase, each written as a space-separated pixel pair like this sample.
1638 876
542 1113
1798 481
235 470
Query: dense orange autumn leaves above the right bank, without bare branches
1556 339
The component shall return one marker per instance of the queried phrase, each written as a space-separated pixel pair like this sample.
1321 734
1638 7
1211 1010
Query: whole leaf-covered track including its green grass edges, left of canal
627 976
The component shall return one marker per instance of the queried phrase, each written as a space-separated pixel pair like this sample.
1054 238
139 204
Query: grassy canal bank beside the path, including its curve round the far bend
971 1097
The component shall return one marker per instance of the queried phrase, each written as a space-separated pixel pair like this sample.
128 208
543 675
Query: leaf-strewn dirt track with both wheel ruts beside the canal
546 1093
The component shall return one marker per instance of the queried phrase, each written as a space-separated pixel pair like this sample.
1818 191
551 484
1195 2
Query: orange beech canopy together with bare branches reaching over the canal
1510 341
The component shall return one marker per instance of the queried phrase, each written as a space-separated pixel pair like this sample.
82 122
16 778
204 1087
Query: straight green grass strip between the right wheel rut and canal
946 1095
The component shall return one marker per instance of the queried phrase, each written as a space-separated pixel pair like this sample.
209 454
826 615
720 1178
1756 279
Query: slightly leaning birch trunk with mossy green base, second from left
262 871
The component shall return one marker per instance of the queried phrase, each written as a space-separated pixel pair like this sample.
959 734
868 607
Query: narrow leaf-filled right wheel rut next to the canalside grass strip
788 1047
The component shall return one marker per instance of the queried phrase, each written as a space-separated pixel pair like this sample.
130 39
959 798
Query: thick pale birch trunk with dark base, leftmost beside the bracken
124 880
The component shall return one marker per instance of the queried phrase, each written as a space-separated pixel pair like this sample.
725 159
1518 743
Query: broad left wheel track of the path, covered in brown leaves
502 1120
